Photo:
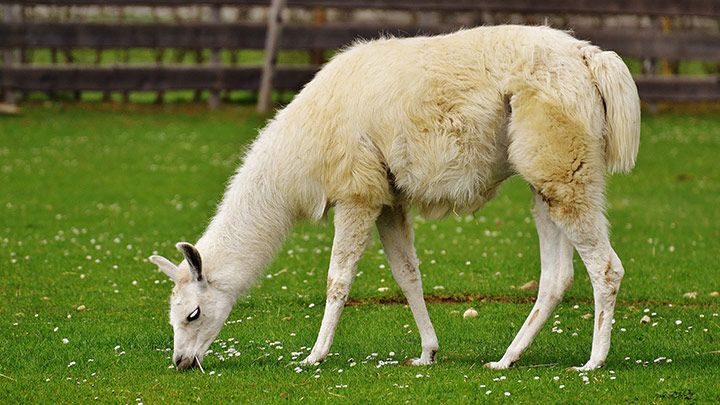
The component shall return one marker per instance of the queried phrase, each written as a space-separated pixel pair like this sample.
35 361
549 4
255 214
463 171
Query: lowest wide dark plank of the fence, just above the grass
168 77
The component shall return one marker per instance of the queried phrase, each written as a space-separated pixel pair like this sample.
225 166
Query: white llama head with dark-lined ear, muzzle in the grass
197 309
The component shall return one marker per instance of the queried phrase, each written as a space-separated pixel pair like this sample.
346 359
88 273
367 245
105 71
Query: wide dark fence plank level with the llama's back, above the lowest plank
627 42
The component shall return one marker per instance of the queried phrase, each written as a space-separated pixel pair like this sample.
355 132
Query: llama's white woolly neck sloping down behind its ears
251 224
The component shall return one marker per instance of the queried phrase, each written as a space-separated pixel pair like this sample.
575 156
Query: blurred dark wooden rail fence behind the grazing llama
662 35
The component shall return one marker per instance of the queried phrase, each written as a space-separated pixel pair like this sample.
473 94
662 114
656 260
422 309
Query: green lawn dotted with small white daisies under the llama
89 192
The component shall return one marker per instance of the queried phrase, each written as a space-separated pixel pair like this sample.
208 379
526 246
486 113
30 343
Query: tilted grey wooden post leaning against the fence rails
272 39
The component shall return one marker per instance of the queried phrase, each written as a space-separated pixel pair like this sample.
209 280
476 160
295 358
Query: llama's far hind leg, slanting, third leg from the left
555 278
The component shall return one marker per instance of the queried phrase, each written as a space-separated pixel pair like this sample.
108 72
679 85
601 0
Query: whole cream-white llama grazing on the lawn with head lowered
436 123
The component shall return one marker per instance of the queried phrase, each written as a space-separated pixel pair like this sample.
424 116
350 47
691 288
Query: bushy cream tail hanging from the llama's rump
622 108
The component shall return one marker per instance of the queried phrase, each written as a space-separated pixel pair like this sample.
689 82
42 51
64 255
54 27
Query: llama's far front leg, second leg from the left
396 234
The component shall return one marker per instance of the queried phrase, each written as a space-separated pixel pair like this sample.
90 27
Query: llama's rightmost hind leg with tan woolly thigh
562 155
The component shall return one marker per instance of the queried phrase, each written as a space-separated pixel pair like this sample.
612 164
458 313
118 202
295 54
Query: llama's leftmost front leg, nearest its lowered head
353 230
